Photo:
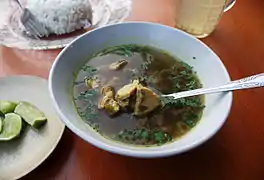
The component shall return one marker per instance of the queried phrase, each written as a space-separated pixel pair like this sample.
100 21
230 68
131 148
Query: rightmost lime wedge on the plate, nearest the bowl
31 114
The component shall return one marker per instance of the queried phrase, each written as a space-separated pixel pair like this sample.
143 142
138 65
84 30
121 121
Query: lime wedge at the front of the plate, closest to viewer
12 126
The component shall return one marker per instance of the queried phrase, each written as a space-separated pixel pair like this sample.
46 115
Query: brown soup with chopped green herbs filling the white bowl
153 70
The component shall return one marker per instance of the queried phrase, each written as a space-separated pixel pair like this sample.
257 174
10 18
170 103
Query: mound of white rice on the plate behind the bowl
61 16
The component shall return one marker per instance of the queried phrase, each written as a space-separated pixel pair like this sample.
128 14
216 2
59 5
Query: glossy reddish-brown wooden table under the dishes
235 153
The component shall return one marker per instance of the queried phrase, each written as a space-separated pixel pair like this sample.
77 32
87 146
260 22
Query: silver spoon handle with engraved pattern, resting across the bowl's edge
245 83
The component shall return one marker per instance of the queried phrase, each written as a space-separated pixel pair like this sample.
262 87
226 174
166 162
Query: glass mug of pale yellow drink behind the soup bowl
200 17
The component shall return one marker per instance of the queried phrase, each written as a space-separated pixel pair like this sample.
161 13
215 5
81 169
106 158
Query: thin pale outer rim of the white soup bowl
144 153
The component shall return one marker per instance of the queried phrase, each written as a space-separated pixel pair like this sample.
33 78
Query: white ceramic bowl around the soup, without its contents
209 67
